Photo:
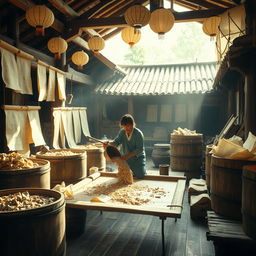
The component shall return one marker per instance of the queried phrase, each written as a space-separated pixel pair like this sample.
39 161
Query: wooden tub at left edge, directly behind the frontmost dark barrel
37 177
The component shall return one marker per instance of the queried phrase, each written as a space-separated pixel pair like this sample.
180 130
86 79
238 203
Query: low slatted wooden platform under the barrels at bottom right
228 236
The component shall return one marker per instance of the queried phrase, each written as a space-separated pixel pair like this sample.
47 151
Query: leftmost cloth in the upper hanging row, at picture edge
9 70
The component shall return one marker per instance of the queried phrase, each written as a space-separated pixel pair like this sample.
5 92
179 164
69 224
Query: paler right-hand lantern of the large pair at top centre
161 21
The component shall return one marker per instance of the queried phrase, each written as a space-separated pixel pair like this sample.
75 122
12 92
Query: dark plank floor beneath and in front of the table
114 234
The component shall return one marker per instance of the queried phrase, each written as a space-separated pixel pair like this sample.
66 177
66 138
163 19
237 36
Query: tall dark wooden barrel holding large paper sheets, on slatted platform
226 186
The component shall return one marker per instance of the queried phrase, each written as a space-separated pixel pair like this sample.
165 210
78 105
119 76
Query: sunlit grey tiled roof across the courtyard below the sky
161 80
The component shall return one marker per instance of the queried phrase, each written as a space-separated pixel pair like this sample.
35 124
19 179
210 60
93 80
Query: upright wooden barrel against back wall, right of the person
186 154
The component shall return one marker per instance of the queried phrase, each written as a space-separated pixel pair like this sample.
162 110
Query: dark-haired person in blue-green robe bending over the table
132 141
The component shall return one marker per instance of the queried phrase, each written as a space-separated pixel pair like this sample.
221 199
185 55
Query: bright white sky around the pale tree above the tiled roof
116 48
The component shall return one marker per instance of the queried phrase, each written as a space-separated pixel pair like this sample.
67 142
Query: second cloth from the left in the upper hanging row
24 75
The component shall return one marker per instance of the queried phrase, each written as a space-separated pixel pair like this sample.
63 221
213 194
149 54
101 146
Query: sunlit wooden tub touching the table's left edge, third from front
69 169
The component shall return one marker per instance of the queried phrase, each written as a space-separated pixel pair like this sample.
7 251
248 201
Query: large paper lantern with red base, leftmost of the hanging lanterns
40 17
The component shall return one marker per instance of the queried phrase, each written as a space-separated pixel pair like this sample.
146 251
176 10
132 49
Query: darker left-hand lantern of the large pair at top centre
137 16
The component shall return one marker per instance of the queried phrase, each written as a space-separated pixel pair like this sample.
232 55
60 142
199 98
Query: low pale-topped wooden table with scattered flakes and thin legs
164 207
